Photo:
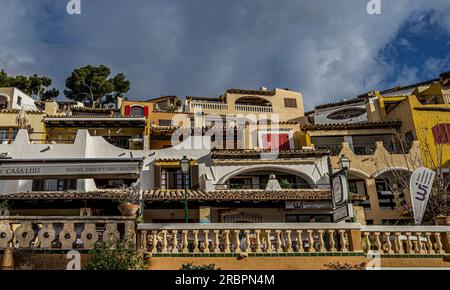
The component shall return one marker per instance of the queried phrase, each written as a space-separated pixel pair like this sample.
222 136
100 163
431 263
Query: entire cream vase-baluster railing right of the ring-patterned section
292 238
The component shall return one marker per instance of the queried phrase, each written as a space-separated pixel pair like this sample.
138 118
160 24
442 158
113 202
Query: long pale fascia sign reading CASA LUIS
67 169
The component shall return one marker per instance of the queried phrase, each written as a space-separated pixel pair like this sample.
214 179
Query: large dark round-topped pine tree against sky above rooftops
93 86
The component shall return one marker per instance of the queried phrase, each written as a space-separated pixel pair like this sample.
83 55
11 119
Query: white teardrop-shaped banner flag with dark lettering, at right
420 185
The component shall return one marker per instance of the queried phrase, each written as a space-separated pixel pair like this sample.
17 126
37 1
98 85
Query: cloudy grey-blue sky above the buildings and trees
328 50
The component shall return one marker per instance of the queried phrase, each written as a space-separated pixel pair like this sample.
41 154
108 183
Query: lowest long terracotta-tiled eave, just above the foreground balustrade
178 195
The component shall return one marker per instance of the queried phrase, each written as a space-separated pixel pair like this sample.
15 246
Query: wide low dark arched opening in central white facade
258 178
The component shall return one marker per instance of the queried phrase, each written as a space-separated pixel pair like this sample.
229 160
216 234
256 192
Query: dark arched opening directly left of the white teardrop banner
391 186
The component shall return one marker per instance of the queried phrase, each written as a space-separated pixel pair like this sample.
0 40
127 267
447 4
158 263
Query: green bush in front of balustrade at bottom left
122 257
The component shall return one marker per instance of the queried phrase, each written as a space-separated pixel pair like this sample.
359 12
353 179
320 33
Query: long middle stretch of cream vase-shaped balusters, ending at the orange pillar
242 238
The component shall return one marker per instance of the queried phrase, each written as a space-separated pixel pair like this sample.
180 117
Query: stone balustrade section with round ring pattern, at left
63 233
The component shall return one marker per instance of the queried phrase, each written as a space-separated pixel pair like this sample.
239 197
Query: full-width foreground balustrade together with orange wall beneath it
253 244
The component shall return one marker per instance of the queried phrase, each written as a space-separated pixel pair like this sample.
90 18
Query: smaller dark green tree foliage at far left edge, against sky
35 86
